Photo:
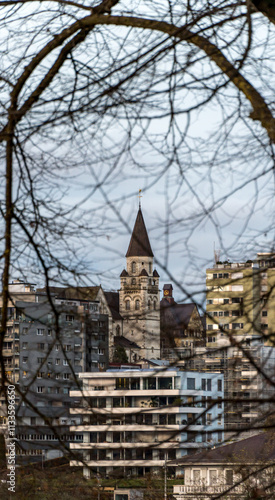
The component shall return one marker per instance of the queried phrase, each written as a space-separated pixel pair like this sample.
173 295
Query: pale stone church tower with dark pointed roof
139 301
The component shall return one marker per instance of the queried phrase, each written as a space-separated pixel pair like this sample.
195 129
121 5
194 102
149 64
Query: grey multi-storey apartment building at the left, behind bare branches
44 350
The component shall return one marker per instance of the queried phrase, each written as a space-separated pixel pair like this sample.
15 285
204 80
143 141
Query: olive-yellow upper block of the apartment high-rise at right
233 304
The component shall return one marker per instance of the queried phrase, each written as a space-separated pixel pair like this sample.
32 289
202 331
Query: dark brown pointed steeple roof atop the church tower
139 244
